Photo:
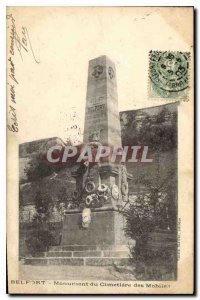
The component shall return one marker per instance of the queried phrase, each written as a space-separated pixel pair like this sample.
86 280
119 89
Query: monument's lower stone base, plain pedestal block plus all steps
103 243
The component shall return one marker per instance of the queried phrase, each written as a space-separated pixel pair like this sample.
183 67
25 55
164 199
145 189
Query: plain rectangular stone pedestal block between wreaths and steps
106 228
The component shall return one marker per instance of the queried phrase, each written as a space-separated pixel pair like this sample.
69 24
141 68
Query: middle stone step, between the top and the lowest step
87 253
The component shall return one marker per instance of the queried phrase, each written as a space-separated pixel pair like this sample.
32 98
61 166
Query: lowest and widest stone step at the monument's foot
76 261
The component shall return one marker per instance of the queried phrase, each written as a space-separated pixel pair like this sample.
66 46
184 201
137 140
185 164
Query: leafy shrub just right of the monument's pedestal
155 207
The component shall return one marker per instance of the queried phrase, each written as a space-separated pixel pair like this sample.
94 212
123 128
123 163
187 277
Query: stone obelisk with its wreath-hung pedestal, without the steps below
101 189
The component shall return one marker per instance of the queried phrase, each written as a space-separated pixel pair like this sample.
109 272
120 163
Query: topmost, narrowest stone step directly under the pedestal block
88 247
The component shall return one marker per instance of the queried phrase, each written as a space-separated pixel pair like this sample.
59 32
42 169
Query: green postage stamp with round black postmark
169 74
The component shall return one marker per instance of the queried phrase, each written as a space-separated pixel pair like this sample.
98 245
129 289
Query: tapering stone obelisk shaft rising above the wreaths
102 115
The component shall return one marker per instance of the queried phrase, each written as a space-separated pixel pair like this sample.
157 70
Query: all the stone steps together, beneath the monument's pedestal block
81 256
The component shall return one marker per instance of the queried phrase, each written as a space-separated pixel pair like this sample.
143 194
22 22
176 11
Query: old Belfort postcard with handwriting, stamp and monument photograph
100 129
